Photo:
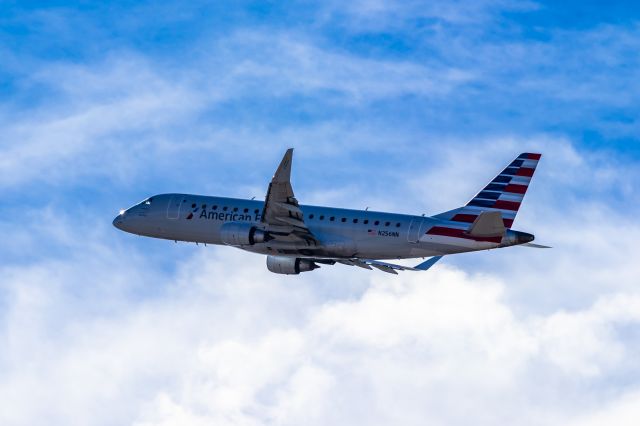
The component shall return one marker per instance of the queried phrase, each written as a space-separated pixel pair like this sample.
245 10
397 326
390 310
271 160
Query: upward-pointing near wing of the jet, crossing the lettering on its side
281 215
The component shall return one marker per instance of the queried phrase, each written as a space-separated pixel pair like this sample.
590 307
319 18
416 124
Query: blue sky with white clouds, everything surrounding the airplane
406 107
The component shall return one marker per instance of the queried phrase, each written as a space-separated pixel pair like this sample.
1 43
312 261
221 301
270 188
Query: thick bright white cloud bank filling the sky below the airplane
226 342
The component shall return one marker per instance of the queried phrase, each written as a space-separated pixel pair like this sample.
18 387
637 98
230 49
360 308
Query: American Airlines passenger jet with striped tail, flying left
299 238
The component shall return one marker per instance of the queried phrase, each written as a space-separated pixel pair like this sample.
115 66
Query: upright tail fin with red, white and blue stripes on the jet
503 194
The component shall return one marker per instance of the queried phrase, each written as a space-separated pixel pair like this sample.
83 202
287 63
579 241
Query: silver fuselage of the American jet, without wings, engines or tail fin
340 232
